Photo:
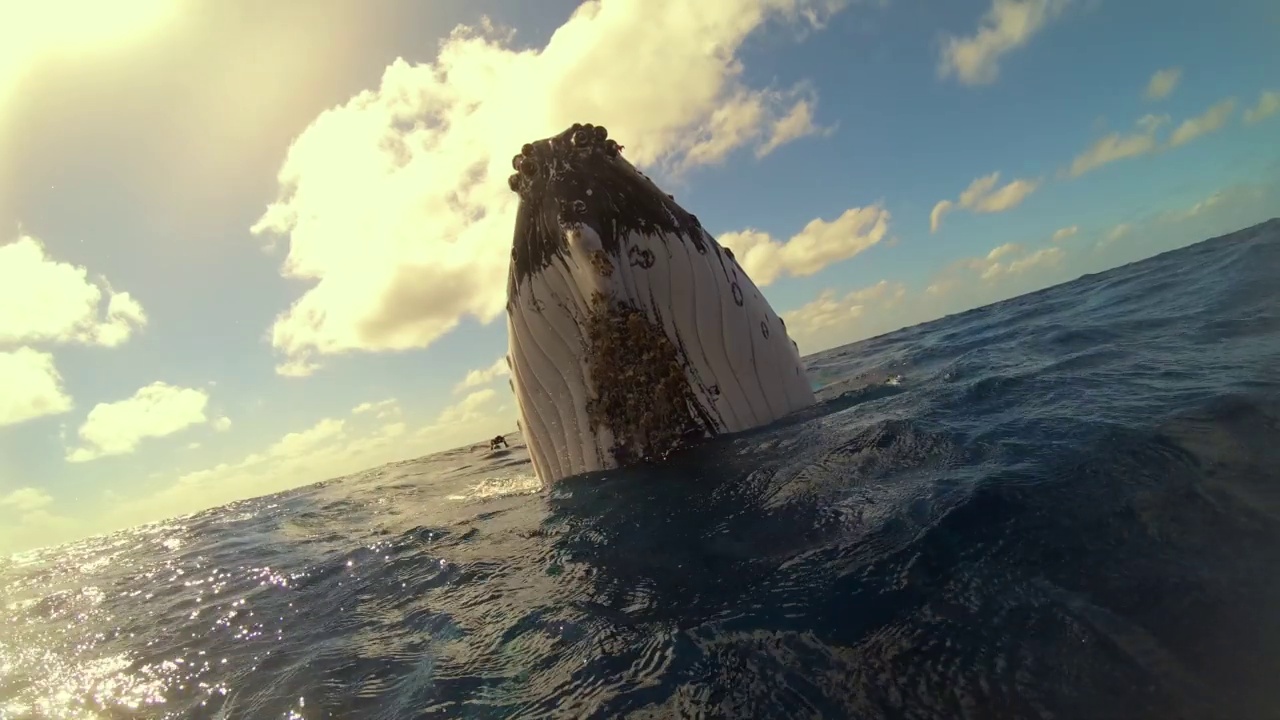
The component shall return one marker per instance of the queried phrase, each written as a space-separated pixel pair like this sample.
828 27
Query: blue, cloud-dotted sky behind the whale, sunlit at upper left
246 247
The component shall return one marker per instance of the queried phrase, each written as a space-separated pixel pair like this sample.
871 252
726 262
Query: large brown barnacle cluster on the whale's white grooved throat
642 393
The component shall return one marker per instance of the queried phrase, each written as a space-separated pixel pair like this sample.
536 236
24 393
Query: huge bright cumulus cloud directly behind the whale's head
396 204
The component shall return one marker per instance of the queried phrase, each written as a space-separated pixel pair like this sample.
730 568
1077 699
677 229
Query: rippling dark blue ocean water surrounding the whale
1066 505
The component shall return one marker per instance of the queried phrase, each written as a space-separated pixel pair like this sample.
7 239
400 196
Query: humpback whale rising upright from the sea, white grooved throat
632 332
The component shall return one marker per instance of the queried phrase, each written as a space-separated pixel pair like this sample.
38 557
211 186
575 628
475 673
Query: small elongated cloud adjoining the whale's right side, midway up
819 245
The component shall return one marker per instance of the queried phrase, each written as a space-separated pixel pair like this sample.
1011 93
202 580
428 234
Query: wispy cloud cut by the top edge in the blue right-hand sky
1007 26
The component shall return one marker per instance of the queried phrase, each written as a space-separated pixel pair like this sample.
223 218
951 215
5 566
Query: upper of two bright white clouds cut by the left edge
44 300
